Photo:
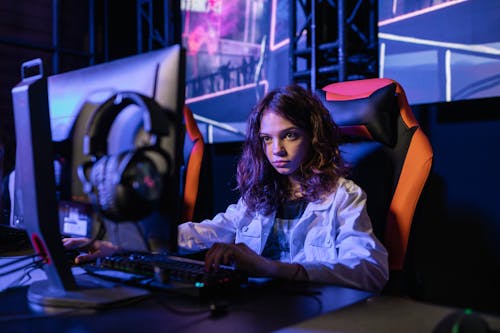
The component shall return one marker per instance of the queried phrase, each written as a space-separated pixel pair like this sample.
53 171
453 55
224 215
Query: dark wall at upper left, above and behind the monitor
60 37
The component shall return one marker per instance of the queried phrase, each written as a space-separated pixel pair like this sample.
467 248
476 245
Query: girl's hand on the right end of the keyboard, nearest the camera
239 255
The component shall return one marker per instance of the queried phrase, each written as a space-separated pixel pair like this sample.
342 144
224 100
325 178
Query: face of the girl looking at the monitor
286 145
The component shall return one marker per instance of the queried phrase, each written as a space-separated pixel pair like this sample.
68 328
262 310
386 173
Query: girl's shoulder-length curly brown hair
260 185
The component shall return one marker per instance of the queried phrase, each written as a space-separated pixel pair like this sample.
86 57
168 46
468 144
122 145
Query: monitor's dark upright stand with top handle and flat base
37 206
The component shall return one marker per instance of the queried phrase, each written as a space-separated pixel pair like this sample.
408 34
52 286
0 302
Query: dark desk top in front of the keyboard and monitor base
258 308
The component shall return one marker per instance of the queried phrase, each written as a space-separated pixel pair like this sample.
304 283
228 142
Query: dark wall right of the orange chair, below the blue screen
456 248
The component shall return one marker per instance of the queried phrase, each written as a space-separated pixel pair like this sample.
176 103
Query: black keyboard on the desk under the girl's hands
167 269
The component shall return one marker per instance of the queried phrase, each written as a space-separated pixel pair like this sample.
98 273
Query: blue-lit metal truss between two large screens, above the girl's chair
335 40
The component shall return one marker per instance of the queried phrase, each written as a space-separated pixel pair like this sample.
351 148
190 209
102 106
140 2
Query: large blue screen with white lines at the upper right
441 50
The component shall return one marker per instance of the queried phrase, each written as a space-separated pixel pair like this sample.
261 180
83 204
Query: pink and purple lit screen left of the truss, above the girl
223 40
